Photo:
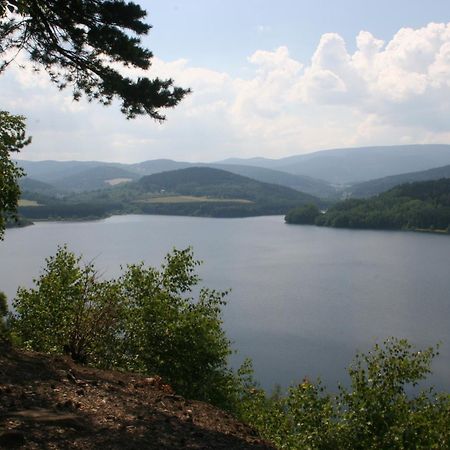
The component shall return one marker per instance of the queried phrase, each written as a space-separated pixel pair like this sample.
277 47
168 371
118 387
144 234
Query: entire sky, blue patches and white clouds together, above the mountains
268 79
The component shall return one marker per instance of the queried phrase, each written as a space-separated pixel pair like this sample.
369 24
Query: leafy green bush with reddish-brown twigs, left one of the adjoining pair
69 311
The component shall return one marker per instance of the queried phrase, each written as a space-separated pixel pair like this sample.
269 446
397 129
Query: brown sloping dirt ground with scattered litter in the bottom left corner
48 402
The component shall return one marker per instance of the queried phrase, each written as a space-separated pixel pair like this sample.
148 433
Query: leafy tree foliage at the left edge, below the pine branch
12 139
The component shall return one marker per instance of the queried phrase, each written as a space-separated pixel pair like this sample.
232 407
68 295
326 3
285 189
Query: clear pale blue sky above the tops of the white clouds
221 34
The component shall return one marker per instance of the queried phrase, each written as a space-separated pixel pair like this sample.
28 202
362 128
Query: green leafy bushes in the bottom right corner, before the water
380 410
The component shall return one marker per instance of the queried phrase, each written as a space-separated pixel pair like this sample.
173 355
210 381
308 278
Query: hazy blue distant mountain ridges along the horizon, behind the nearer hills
327 174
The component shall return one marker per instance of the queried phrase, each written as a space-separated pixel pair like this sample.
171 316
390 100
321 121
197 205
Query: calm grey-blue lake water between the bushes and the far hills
303 299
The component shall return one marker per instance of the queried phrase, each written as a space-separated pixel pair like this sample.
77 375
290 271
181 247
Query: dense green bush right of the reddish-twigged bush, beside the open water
167 332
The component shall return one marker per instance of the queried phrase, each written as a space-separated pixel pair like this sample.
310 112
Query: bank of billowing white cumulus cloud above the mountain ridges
390 92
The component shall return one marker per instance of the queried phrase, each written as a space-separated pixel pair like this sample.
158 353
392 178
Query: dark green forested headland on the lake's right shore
413 206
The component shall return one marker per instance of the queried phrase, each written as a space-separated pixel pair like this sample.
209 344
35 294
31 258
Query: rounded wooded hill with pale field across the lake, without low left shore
215 192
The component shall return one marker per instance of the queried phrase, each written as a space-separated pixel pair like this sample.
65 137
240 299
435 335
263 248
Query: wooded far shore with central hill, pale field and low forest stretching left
196 191
